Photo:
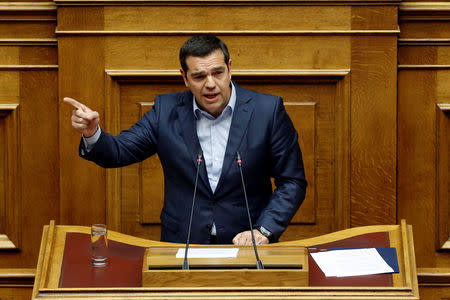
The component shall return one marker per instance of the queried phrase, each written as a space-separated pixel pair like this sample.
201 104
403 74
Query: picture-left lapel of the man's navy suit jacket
189 133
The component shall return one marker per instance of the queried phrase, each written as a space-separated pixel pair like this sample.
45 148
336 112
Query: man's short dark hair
200 46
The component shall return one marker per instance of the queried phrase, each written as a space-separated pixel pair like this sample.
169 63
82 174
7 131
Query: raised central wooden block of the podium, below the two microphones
284 265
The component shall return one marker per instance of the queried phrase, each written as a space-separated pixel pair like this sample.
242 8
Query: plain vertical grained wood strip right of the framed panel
373 142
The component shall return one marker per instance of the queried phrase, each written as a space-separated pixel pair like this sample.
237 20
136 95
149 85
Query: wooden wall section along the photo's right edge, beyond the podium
423 151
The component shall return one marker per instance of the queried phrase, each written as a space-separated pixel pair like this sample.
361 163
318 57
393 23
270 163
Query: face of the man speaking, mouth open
209 78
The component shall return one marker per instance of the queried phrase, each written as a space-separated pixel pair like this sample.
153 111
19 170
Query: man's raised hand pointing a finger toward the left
84 120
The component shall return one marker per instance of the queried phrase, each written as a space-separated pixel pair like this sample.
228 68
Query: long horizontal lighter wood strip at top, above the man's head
231 18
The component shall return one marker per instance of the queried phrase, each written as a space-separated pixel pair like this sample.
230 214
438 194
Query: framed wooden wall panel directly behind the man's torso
141 190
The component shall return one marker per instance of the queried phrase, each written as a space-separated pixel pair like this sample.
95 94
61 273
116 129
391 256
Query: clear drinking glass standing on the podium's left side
99 245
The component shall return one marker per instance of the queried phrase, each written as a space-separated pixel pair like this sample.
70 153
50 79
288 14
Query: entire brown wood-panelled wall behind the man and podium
367 84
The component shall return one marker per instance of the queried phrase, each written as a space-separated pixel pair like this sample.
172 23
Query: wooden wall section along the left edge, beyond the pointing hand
29 126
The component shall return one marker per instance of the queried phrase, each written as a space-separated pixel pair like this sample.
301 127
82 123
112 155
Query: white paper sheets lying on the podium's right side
352 262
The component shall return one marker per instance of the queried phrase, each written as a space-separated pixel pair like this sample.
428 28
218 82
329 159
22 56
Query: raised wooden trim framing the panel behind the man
342 157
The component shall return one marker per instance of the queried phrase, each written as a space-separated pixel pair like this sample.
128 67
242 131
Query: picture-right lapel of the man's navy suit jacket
241 117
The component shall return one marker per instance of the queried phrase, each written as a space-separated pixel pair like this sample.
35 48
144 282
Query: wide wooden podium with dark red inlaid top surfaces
64 271
